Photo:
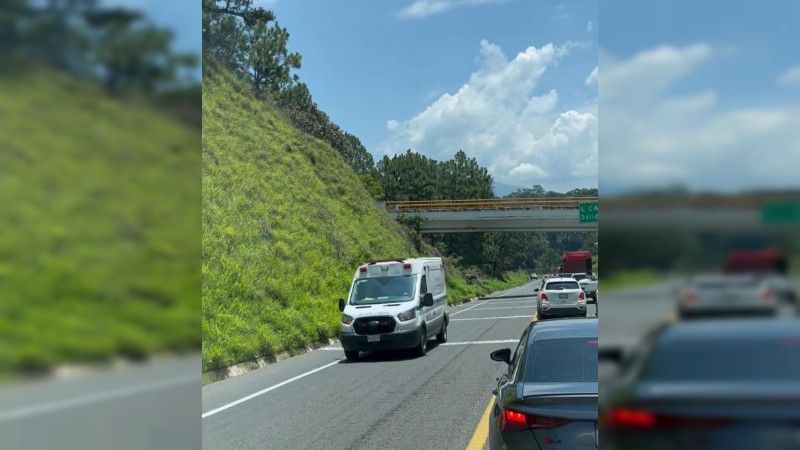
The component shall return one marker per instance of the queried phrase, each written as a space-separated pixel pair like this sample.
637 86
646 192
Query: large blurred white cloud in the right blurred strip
652 138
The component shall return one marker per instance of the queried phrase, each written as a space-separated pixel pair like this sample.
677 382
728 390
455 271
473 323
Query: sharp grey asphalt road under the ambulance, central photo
395 400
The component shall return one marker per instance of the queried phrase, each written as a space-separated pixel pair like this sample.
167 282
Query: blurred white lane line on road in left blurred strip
98 397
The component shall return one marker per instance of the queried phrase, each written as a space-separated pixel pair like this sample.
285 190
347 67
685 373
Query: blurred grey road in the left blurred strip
148 406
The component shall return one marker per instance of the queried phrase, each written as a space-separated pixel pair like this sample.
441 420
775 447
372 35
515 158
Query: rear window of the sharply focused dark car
562 360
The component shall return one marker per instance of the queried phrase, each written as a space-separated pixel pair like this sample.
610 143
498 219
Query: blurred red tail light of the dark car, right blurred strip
643 419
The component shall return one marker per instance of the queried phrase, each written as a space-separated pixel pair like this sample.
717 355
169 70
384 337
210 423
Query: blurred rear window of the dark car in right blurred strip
725 359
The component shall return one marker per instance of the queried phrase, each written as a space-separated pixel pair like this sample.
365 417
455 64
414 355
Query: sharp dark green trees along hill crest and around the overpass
252 44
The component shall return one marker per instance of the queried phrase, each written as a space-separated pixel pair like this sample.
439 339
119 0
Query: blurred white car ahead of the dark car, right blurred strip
723 295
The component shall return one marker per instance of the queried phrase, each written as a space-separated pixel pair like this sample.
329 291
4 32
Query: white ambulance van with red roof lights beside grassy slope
395 304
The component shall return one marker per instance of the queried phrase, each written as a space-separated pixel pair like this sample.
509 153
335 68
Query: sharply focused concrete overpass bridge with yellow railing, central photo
517 214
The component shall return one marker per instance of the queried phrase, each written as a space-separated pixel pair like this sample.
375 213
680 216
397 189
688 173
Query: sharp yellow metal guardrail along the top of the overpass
490 204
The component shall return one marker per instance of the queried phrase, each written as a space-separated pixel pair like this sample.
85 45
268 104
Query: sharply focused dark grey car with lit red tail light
548 396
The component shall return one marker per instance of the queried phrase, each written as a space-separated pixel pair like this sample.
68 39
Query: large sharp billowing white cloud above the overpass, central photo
498 116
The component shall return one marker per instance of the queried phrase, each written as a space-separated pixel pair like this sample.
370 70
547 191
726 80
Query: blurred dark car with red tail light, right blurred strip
731 384
